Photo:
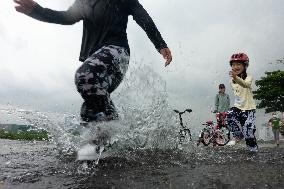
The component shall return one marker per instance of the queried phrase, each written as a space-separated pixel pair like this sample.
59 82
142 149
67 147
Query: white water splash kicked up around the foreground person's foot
146 119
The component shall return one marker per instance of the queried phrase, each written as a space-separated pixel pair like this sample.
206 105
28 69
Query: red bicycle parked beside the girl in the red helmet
218 134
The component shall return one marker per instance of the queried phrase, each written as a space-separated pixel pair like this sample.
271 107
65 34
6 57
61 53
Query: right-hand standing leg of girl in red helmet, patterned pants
249 128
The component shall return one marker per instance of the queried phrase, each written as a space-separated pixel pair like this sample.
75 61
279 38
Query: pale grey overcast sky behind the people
38 60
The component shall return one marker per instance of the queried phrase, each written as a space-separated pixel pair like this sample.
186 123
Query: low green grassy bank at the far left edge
24 135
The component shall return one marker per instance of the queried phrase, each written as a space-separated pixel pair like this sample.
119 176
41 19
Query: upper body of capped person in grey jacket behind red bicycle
222 100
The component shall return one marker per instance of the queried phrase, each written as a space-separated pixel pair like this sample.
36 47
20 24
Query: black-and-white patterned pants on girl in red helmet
242 125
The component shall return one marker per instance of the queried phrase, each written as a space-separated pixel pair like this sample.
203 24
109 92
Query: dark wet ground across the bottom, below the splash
34 165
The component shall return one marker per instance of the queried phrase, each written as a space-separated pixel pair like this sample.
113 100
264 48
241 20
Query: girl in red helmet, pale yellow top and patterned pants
243 111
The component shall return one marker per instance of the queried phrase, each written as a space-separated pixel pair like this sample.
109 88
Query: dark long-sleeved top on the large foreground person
104 22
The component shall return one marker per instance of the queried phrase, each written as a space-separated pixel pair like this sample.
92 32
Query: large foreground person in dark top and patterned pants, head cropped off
104 51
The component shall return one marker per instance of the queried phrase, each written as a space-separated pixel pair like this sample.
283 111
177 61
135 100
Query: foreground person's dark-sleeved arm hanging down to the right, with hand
144 20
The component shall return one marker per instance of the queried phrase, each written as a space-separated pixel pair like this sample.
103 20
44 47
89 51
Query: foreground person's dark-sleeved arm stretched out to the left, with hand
34 10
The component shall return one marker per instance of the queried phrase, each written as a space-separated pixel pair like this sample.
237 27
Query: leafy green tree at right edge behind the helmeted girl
270 91
